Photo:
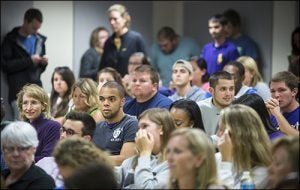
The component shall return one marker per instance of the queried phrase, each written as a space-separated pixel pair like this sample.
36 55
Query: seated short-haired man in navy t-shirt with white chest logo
115 134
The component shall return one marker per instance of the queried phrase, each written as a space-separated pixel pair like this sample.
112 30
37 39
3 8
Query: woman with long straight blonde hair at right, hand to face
244 145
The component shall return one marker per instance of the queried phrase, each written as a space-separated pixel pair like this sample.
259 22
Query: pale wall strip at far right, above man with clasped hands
284 22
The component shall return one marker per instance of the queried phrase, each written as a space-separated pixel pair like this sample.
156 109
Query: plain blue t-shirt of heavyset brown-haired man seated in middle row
132 107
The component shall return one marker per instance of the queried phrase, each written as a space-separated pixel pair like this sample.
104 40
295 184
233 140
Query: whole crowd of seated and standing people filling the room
182 117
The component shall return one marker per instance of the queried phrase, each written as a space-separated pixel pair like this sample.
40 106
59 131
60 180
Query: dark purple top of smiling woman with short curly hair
48 135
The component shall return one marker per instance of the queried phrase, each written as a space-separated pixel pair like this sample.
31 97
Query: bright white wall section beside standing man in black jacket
58 27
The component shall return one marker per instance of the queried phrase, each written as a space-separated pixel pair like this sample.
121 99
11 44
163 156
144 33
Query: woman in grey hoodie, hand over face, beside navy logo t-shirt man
149 168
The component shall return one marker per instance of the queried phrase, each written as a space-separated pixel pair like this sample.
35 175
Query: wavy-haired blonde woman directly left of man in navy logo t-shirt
85 98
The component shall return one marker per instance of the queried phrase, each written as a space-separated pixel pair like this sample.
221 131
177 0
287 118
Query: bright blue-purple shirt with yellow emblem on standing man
217 57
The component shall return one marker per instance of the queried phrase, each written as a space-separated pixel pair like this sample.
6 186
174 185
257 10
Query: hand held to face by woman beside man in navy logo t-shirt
144 142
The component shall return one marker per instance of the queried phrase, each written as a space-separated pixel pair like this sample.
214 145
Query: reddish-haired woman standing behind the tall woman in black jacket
91 58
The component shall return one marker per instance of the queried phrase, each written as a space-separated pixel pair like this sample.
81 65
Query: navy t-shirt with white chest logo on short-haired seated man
112 136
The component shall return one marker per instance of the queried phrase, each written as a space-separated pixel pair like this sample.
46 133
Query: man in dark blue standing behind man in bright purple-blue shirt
246 46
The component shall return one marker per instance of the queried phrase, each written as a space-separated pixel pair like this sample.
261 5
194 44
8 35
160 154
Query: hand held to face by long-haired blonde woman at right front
225 146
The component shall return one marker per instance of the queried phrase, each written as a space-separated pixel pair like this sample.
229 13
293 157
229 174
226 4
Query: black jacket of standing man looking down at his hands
17 63
